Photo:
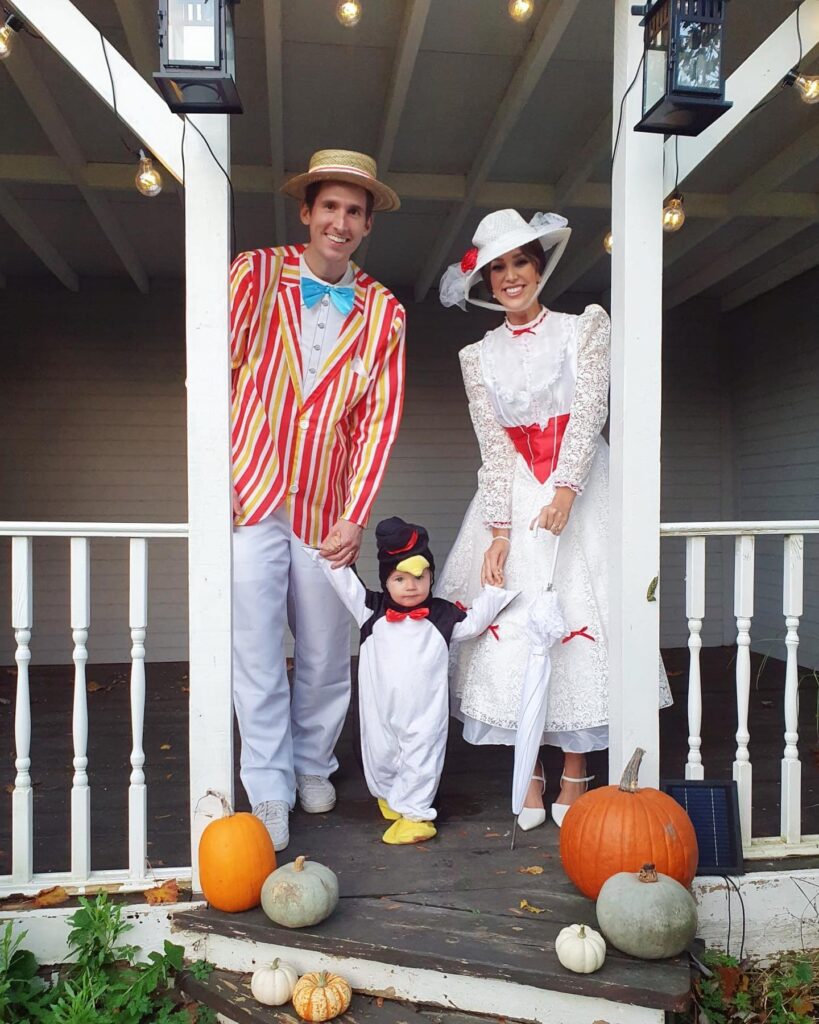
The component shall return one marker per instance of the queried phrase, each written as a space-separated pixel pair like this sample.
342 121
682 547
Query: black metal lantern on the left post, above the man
197 67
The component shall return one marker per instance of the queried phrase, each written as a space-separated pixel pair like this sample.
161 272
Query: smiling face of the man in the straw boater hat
337 223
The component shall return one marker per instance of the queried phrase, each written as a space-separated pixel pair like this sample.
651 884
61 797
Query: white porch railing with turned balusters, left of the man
80 876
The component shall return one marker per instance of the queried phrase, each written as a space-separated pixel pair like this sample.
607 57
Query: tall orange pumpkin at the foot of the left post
236 856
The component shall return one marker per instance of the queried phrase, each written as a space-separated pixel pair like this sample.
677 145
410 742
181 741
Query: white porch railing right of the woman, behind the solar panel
791 841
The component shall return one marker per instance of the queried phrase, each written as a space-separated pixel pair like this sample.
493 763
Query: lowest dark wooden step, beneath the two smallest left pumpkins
228 993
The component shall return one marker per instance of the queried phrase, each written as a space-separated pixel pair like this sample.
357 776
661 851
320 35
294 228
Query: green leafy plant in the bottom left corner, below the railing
105 985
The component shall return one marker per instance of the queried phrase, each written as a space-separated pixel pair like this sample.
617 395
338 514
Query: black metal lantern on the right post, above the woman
683 76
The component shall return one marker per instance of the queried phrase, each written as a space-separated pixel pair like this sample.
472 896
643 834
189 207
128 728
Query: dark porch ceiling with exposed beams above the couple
443 90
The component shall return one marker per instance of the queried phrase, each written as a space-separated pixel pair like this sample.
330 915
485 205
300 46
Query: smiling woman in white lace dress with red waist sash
538 391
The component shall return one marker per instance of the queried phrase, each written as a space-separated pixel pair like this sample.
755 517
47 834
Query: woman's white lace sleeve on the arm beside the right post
590 406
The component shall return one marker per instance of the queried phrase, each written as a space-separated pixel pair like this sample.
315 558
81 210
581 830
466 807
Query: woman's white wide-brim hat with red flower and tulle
500 233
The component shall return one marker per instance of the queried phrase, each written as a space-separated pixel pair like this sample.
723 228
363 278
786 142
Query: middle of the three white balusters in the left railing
81 792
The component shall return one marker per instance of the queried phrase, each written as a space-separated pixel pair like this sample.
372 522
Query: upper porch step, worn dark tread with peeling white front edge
467 938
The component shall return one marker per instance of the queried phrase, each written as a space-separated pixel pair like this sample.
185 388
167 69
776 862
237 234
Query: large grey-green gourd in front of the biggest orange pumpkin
648 915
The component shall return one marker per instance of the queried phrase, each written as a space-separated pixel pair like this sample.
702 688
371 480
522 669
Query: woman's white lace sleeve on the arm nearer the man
497 451
